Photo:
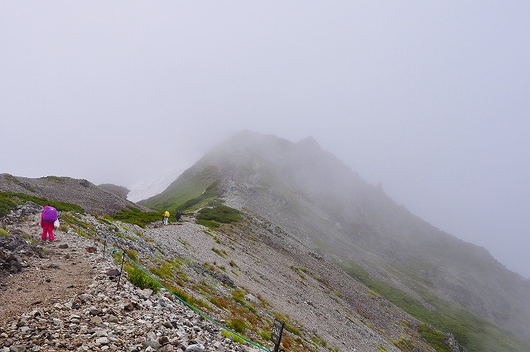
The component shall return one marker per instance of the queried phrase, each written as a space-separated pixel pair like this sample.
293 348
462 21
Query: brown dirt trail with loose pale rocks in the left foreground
66 298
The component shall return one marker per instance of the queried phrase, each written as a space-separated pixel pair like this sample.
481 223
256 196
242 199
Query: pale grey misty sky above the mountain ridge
431 99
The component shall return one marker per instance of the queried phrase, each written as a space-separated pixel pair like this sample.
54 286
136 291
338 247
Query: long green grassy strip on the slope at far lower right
470 331
